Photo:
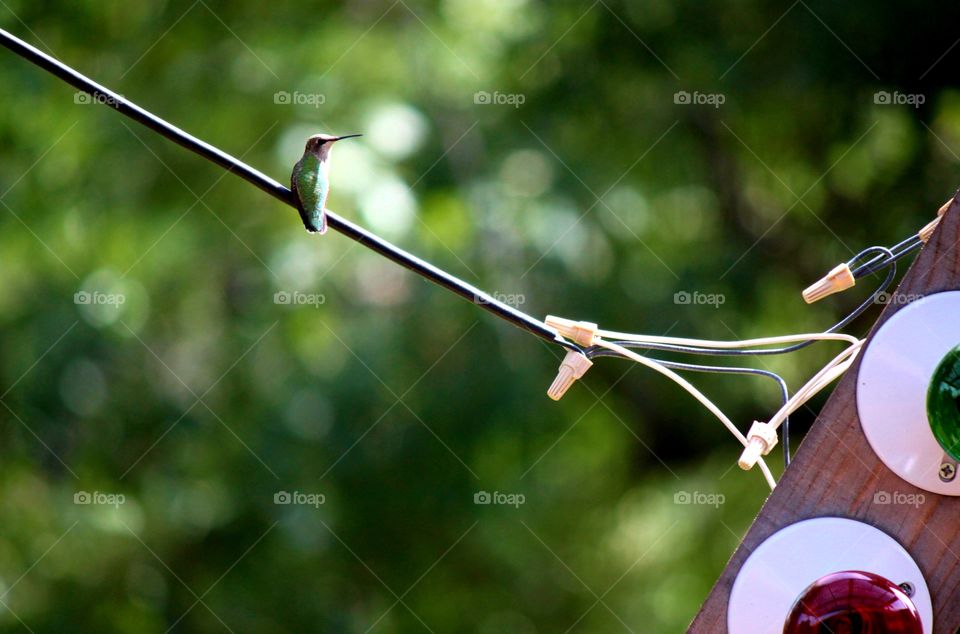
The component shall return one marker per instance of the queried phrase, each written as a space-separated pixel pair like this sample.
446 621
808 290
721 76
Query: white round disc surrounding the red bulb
782 567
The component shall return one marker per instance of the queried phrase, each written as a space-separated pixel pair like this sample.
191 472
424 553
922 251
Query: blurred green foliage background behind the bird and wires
199 397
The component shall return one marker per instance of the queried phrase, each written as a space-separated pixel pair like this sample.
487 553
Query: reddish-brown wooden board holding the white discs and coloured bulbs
835 472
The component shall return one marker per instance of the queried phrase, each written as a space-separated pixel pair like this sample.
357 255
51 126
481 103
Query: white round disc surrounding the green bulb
895 373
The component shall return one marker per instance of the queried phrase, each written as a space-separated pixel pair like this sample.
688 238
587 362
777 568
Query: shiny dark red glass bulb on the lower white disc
853 602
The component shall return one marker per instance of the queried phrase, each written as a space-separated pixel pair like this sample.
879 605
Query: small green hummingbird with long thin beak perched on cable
310 181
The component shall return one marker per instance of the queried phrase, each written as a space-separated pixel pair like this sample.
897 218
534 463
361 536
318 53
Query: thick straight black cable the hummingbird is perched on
280 192
